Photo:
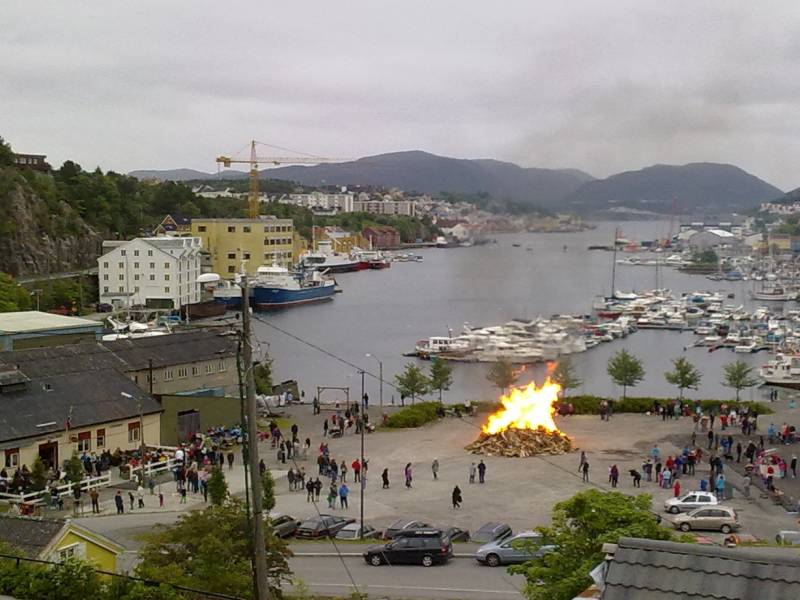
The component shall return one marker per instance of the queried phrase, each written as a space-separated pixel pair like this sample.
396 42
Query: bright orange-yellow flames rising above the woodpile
530 407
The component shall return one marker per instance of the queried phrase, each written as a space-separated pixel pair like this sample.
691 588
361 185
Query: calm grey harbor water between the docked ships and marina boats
385 312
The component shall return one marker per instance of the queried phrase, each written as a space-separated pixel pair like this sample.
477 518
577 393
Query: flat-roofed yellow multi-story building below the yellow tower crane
257 242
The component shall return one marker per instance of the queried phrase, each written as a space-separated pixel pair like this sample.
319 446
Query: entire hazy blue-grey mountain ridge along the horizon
694 186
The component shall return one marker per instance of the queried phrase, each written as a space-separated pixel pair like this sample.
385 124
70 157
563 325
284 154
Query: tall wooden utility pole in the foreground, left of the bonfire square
262 585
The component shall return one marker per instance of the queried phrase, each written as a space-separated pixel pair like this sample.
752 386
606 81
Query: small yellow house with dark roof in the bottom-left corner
56 540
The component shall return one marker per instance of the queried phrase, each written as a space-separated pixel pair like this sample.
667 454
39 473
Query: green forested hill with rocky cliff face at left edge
53 223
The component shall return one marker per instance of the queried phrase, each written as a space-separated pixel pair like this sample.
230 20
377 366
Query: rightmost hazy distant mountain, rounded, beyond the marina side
692 187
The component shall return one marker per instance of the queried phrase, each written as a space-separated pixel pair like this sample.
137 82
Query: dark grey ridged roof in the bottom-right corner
650 569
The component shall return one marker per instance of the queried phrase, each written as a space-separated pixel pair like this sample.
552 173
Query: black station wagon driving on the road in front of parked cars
424 547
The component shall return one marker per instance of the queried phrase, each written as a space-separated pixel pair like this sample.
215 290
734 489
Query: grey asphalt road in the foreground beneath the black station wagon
459 579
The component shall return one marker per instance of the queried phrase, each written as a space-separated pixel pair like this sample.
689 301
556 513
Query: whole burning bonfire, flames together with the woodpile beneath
525 425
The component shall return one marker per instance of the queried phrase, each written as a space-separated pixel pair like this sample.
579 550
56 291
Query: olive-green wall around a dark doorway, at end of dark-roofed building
214 412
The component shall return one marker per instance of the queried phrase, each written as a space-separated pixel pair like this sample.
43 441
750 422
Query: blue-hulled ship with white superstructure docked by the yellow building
275 287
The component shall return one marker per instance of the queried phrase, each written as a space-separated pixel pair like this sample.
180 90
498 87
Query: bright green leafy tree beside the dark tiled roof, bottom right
580 527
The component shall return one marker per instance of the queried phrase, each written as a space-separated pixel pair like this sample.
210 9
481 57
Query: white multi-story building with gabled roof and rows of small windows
157 272
